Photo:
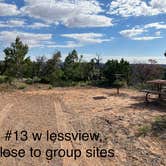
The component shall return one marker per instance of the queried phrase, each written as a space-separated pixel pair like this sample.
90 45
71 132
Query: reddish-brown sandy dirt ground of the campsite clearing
116 118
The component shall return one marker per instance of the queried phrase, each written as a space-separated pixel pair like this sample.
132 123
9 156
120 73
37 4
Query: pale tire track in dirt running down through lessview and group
64 126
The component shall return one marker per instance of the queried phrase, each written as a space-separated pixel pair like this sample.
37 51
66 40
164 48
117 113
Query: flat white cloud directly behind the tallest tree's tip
32 39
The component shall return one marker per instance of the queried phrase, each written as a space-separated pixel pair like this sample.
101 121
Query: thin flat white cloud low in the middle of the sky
87 38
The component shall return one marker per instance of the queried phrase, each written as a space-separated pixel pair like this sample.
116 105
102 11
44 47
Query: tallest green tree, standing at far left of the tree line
15 58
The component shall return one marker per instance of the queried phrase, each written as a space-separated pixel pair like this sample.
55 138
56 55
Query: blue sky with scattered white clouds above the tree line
114 29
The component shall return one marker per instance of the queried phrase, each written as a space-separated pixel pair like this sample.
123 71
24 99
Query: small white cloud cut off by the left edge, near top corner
8 9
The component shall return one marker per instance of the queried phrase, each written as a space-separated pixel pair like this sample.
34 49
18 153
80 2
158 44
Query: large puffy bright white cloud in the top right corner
128 8
